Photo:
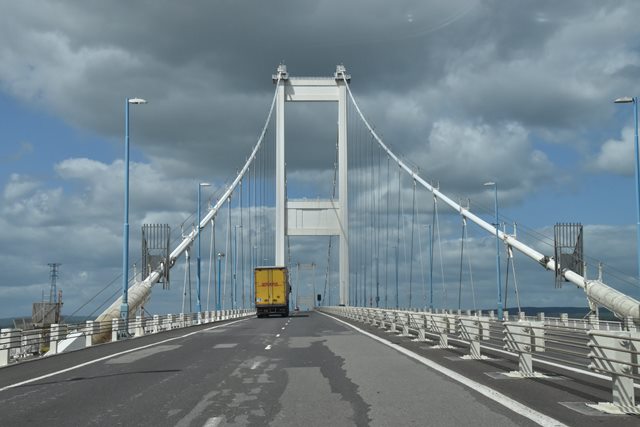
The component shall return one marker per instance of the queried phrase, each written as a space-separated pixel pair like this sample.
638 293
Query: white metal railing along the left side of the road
17 344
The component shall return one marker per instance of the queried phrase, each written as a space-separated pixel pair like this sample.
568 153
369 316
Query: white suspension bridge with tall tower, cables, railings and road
400 335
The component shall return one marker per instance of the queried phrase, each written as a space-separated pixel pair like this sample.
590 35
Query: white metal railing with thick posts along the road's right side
610 348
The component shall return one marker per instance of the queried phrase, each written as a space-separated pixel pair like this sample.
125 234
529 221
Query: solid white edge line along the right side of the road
496 396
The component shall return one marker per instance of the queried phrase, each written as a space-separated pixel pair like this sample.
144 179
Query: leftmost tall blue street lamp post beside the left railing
124 306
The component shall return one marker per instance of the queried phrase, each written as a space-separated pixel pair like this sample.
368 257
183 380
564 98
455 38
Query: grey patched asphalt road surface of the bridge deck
305 370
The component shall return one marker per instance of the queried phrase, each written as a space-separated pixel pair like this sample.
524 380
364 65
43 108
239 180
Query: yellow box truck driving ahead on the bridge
272 291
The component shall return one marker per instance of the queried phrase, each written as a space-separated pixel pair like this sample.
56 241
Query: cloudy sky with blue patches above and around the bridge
518 92
